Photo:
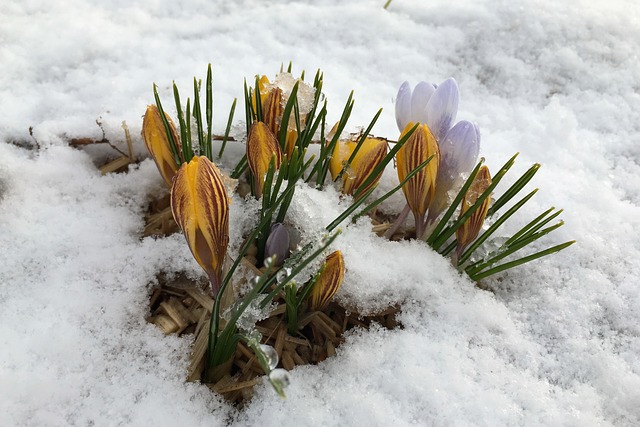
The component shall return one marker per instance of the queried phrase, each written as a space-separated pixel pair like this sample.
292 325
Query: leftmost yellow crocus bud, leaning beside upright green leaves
157 142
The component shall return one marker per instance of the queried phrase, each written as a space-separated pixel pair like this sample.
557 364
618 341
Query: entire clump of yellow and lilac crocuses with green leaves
437 170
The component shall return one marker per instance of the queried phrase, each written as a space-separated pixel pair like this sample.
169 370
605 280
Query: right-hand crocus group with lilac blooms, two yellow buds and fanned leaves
452 183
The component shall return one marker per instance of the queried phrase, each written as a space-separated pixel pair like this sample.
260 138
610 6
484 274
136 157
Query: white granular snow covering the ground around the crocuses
557 344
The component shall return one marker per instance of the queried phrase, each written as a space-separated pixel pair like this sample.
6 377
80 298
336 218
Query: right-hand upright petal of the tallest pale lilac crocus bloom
442 108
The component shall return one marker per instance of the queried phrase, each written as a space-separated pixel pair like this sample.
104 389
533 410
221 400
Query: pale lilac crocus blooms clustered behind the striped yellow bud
459 144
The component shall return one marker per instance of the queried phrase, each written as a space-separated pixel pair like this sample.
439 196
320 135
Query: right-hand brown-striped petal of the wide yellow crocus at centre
368 157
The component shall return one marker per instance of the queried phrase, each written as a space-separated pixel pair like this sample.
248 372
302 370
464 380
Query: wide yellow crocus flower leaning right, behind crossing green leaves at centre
370 154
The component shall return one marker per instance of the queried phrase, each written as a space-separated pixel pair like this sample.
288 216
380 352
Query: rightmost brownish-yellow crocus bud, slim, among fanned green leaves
469 230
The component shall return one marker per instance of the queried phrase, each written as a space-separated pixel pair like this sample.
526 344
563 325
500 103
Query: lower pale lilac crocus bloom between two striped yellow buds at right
458 155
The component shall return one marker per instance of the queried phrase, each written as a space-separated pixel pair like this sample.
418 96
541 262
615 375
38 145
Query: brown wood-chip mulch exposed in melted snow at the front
180 306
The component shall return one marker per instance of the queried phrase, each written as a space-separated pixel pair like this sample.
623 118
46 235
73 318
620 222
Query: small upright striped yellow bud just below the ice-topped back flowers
262 146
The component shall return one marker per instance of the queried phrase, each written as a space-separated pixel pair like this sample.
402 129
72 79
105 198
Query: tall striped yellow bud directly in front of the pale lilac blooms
420 188
